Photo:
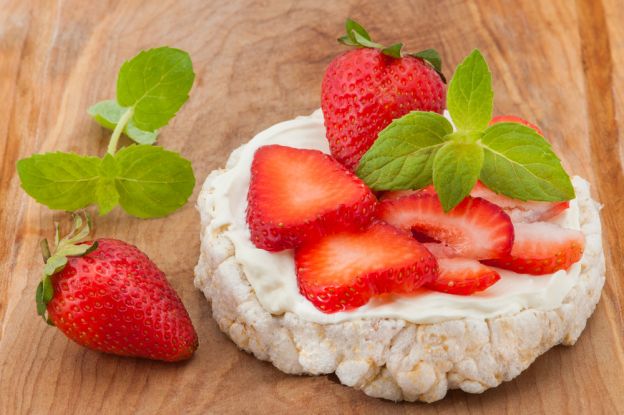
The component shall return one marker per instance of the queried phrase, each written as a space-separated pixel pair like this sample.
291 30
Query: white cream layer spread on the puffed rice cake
273 278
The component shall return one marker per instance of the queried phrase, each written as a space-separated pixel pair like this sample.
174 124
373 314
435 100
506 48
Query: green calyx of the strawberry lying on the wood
69 246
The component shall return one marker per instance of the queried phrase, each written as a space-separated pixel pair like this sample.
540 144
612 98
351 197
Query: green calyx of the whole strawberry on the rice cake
358 36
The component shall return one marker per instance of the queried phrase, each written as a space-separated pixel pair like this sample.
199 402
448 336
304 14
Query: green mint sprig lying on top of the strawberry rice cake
421 148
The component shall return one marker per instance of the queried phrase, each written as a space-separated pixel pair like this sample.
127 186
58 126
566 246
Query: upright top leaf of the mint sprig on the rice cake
470 97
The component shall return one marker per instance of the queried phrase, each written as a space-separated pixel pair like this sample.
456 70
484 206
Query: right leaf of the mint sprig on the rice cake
520 163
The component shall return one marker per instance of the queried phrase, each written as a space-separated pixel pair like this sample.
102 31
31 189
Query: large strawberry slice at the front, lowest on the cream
342 271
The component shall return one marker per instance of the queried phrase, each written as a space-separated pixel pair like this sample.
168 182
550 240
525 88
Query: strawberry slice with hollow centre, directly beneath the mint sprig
475 228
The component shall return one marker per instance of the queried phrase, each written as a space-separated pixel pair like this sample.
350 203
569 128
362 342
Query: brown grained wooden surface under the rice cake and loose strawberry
559 63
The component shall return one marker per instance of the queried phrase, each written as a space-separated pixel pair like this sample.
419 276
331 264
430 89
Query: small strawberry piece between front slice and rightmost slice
463 276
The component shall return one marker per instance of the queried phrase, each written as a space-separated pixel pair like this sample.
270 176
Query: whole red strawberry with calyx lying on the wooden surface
109 296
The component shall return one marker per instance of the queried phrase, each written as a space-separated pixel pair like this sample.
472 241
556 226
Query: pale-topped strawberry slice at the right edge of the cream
542 248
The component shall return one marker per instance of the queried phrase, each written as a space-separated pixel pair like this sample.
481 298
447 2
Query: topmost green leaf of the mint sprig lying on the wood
155 83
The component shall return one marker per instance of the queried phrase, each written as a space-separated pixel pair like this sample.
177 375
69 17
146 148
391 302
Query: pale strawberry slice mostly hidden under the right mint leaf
519 211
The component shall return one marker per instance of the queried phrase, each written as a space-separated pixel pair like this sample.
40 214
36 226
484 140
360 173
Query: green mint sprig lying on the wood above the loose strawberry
147 181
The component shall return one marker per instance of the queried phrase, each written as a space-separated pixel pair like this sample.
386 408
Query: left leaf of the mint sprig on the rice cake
402 156
